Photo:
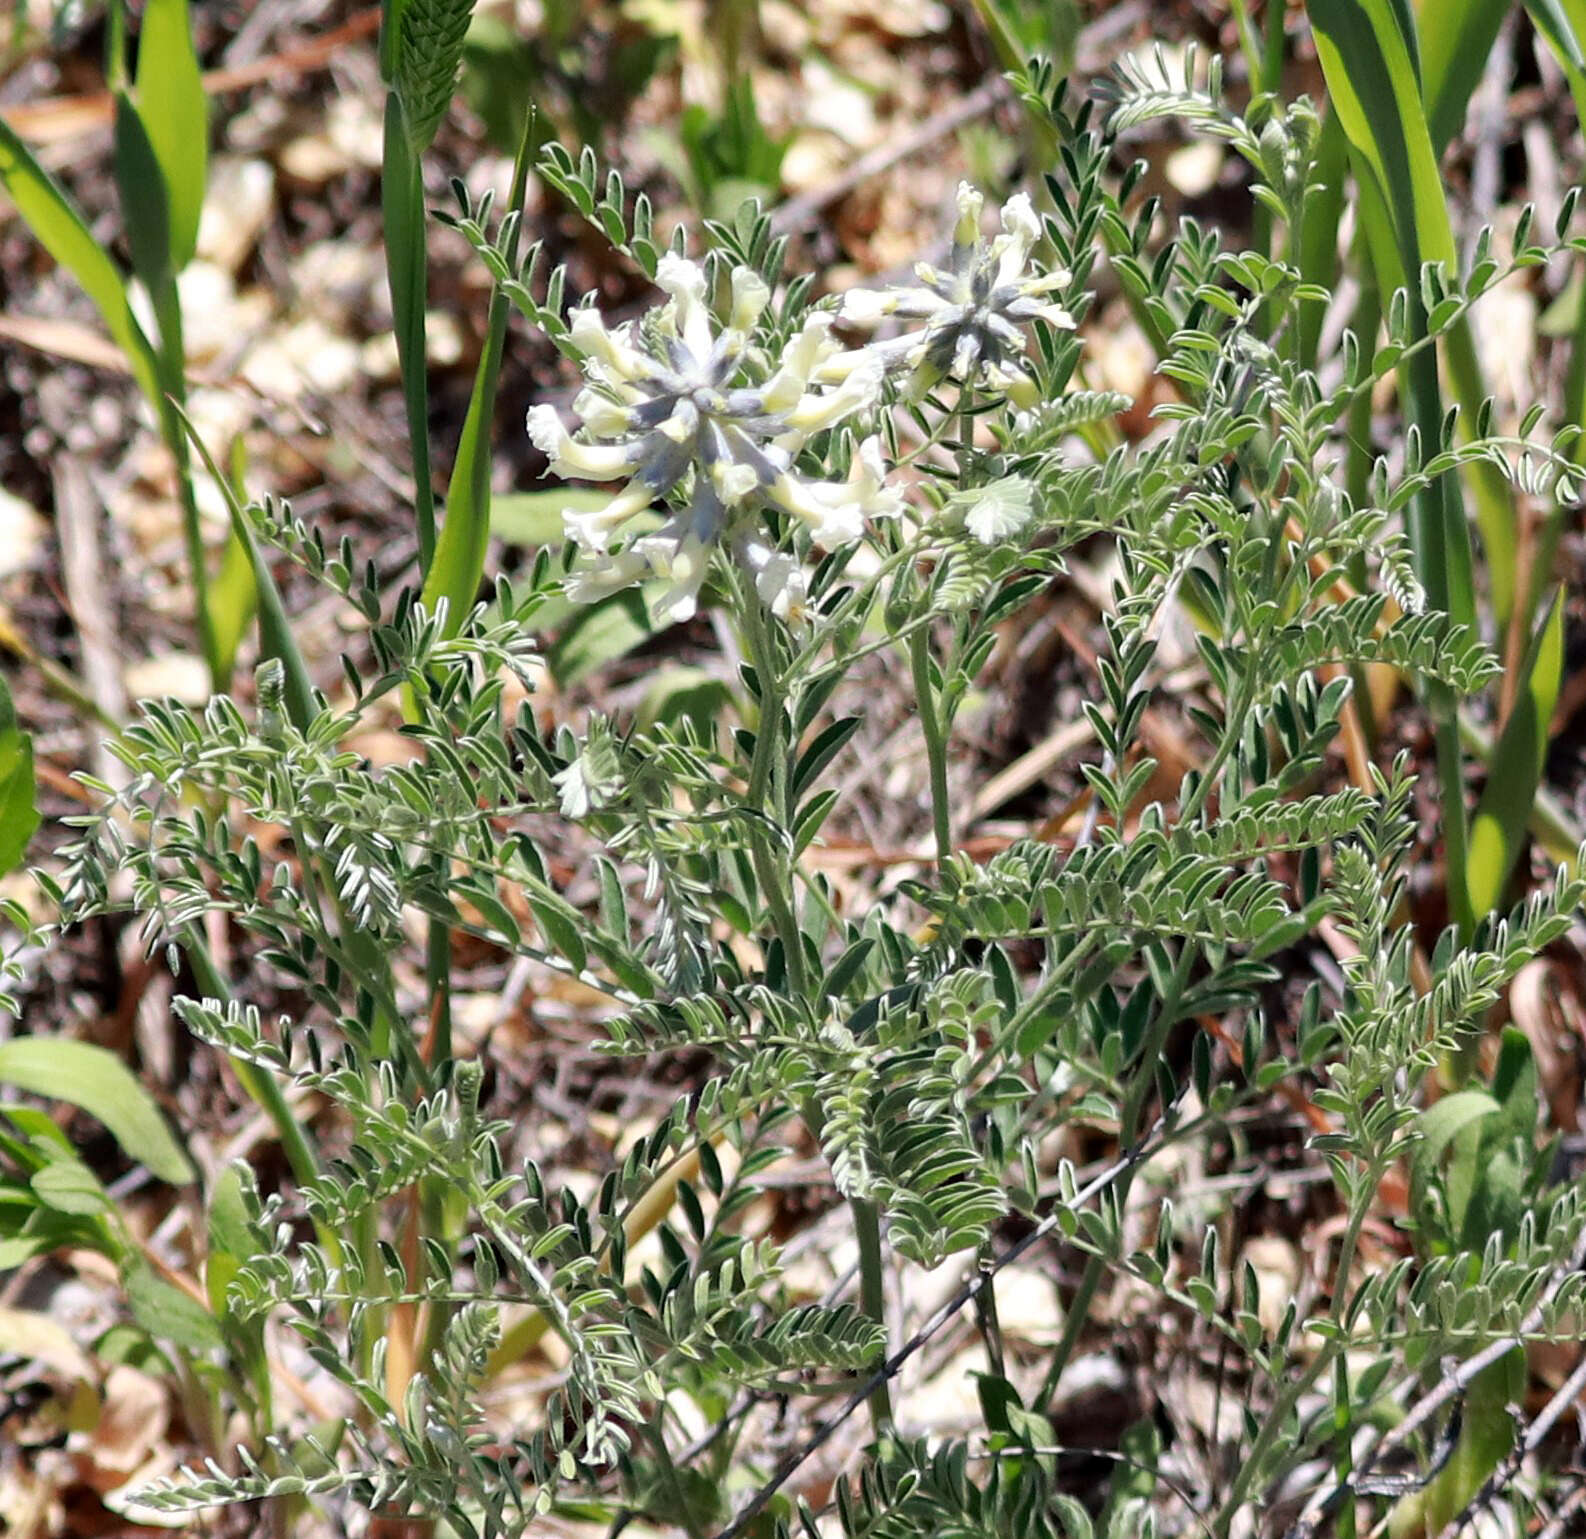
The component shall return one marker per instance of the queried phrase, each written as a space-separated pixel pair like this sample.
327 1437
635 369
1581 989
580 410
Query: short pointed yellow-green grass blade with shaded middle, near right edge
1515 769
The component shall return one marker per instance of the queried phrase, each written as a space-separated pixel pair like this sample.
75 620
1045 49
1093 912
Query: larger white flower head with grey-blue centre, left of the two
665 409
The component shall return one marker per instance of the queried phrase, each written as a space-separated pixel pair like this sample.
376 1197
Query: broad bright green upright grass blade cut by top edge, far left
177 117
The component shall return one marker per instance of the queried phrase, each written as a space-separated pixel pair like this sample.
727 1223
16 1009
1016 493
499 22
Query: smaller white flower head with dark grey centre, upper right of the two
975 310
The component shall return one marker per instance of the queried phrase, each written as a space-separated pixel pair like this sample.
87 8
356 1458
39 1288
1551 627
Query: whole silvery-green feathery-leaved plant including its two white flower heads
944 1070
